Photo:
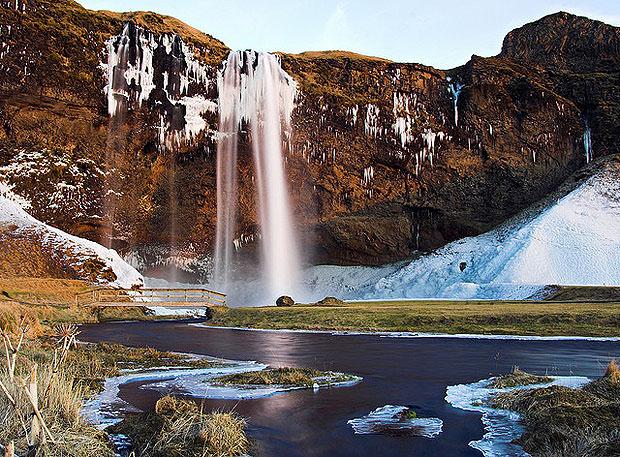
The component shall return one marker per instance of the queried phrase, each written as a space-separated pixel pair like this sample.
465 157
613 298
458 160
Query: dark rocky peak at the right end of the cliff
581 58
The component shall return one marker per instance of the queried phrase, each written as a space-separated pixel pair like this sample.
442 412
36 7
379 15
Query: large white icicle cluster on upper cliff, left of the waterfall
140 63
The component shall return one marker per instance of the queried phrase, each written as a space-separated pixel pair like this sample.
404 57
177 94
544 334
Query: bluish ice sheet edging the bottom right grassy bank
502 427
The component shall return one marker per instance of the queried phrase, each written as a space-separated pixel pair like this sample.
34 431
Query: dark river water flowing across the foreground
398 371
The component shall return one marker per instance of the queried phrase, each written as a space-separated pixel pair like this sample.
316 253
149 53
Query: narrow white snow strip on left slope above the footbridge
11 213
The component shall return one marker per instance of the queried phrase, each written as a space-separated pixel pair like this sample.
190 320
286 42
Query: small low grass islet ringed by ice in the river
273 376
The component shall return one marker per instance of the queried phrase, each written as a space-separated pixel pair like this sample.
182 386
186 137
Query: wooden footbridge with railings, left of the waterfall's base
148 298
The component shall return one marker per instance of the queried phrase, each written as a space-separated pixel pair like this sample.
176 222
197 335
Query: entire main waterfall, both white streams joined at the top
254 91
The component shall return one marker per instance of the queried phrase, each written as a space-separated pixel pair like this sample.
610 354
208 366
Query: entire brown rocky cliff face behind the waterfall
385 159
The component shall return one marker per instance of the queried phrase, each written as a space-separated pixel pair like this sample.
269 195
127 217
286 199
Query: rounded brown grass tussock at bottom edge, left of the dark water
180 428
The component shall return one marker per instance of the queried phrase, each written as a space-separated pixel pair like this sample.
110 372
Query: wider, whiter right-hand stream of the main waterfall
274 94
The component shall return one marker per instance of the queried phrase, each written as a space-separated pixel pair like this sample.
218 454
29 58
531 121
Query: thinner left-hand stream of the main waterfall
229 88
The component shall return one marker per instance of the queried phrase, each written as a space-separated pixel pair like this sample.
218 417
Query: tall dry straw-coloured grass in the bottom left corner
41 399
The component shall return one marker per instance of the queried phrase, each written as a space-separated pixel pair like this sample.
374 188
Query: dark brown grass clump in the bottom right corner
560 421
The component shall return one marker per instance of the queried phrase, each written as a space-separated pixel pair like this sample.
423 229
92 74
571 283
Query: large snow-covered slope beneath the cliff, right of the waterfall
572 240
